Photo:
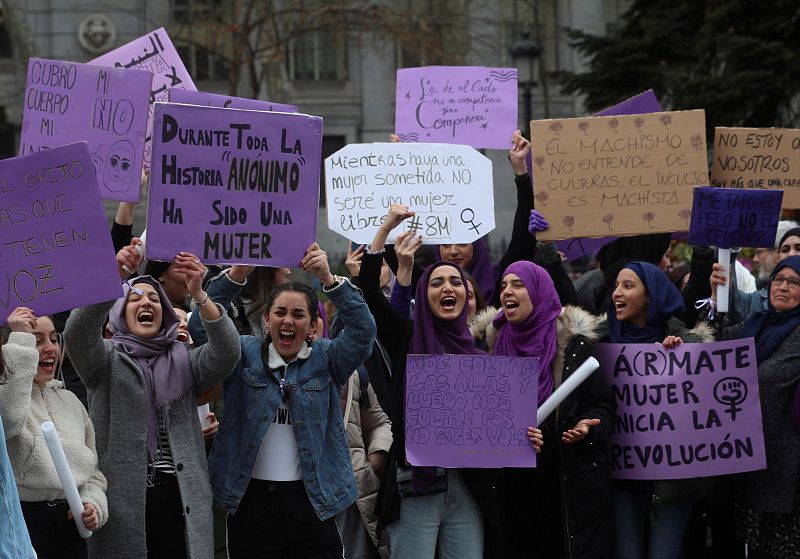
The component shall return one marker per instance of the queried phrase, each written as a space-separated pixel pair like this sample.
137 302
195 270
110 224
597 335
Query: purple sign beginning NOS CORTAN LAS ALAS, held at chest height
470 411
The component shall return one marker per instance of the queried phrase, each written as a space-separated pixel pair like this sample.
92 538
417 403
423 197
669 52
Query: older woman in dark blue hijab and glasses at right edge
768 508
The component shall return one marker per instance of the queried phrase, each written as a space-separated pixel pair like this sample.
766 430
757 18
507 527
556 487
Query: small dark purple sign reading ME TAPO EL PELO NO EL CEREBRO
728 217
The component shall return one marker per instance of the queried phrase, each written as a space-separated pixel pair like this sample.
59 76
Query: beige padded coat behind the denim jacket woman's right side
368 430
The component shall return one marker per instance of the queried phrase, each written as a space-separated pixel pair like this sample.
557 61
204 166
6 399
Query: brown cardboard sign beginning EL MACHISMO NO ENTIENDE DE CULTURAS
620 175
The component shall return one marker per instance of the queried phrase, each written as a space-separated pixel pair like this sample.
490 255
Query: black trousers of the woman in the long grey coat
164 522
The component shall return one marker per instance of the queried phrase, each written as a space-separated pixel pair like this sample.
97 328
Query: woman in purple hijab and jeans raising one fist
424 509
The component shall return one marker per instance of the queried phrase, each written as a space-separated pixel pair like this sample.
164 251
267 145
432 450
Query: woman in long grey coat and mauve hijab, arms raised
141 385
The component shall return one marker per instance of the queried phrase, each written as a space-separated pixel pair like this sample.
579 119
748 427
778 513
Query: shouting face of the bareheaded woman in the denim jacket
289 322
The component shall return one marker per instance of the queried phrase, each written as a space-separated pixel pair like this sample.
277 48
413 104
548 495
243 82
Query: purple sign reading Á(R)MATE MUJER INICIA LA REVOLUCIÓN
689 412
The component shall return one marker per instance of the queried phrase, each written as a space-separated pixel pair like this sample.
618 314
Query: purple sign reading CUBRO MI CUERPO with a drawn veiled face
66 102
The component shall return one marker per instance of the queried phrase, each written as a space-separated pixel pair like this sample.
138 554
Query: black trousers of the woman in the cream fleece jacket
53 535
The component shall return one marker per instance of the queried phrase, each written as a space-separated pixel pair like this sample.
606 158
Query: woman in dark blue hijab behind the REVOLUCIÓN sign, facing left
651 516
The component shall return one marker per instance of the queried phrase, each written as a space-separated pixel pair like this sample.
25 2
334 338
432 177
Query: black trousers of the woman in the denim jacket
275 520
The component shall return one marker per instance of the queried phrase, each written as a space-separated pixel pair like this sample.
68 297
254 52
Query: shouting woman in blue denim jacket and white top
280 465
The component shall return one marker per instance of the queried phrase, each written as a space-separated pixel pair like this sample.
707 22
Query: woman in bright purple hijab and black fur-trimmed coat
572 476
